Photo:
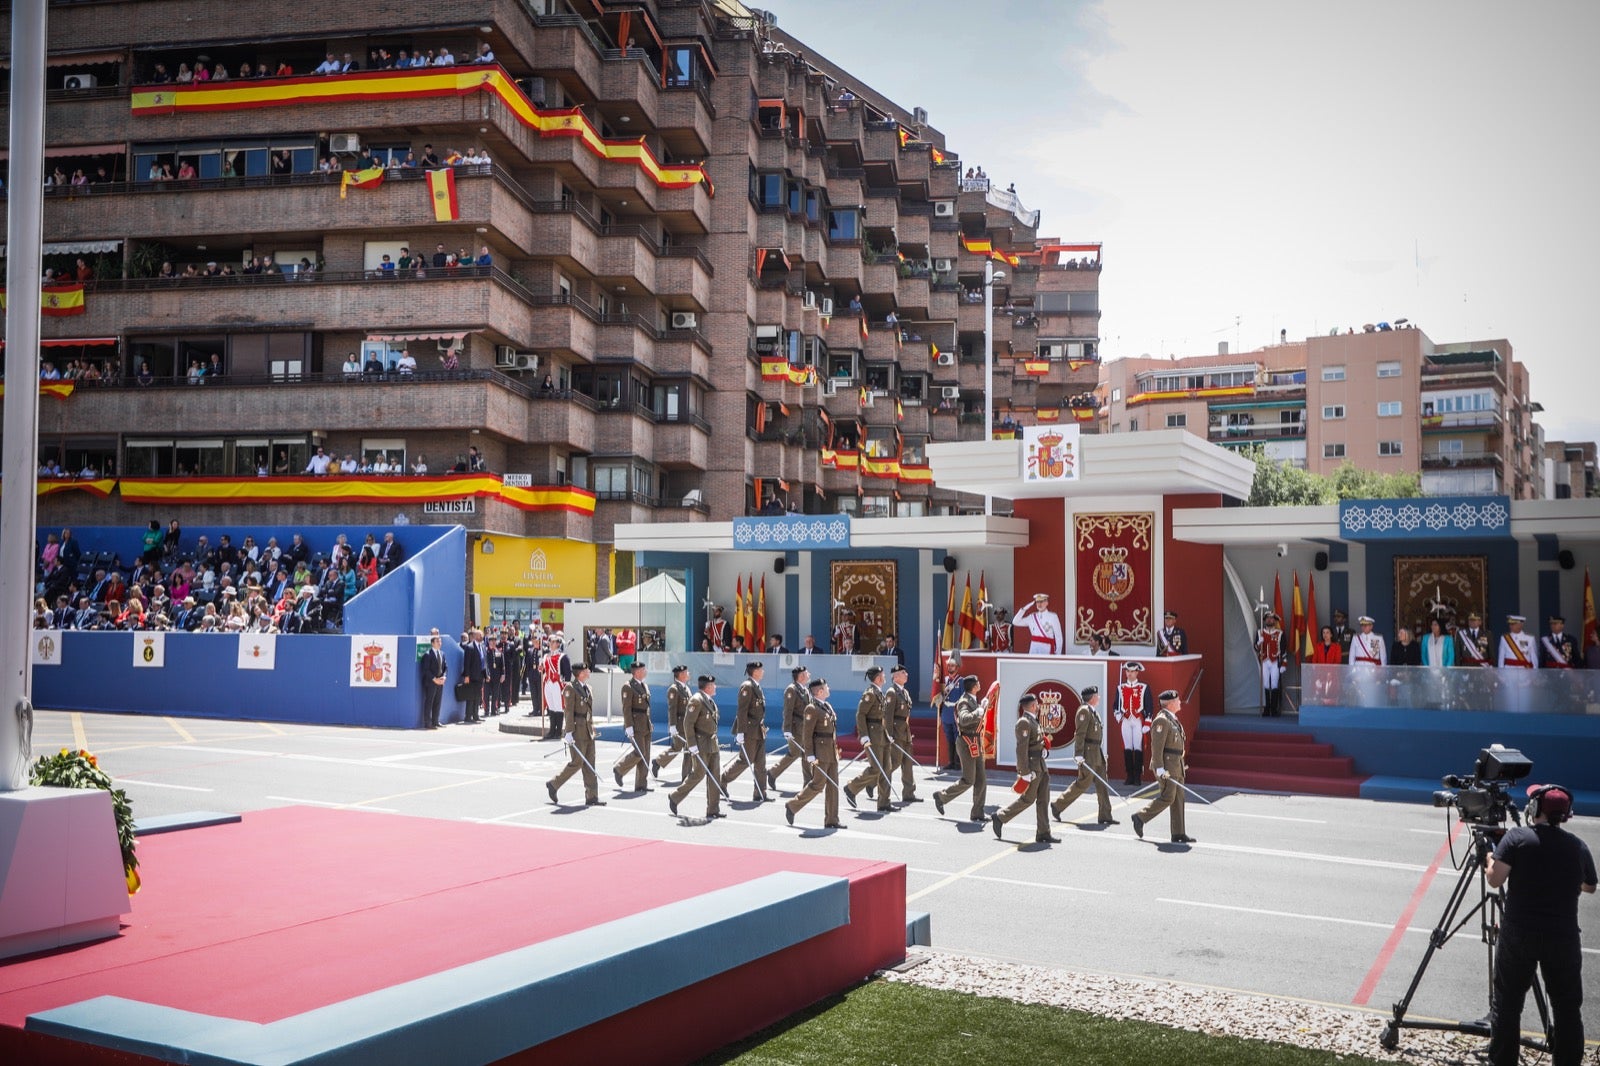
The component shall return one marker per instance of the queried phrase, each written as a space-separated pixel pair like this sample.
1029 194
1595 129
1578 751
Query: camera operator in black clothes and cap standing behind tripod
1546 868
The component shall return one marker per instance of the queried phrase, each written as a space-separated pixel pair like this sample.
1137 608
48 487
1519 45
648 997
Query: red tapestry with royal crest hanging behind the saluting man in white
1114 566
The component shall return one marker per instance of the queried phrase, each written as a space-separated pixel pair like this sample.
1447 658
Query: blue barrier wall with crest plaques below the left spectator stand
202 679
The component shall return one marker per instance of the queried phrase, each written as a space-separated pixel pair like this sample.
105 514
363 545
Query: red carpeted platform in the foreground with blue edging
297 910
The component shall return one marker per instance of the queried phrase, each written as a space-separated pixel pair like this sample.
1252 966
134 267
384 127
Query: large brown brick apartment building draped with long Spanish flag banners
689 331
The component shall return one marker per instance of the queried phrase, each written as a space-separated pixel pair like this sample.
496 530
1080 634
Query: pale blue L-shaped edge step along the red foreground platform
487 1011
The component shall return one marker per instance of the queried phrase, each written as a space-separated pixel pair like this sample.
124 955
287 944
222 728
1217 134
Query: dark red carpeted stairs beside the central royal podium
1271 761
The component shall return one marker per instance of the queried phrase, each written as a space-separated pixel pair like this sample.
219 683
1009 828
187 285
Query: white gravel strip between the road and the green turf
1188 1008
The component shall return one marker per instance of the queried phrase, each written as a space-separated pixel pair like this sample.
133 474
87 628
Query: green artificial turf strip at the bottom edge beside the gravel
886 1024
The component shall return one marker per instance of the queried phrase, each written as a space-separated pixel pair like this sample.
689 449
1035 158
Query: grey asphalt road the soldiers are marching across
1302 897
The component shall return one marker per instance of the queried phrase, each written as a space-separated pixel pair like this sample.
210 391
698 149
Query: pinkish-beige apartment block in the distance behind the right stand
1390 401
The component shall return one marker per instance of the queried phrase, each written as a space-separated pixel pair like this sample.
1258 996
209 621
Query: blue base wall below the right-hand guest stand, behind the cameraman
1404 743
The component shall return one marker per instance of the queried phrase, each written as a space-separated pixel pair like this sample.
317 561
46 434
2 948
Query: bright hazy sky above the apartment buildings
1258 167
